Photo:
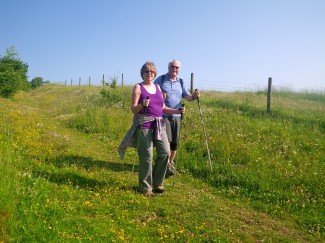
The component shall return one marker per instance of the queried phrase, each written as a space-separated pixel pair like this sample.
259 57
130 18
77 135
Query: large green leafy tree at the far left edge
13 74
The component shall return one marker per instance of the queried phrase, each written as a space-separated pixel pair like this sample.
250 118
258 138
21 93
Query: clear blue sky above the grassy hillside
227 44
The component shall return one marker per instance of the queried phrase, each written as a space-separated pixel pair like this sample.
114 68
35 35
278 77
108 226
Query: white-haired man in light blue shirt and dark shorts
174 90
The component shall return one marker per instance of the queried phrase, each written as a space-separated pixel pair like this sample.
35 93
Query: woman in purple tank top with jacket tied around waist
148 106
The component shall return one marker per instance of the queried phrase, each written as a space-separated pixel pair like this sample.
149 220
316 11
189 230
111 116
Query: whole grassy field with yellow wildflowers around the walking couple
61 179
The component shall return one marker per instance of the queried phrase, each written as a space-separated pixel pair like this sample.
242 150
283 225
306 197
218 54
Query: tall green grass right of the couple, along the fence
276 161
